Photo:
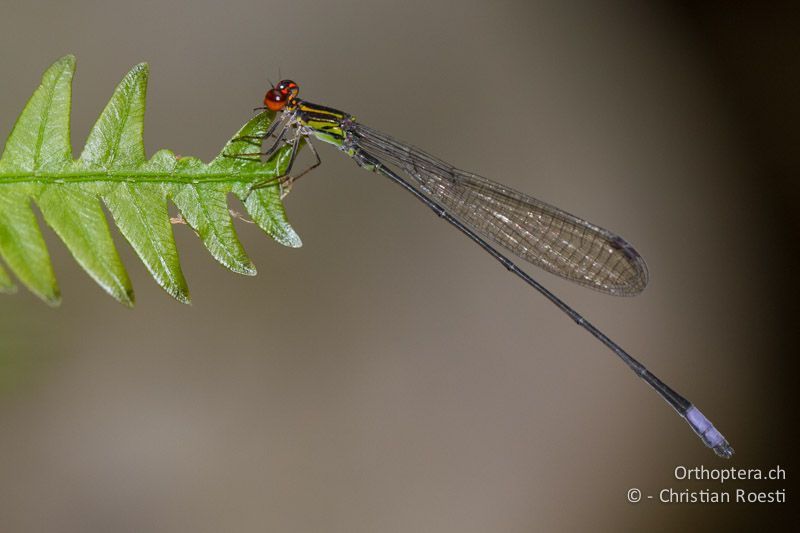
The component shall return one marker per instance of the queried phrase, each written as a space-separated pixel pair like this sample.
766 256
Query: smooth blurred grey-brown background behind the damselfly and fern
389 376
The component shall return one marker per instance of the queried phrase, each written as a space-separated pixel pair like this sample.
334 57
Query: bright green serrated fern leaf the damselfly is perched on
37 167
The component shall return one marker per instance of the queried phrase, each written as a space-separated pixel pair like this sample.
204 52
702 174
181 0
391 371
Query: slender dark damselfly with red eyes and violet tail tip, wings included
491 215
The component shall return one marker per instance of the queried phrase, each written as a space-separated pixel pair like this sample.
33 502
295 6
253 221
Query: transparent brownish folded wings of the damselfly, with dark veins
540 233
